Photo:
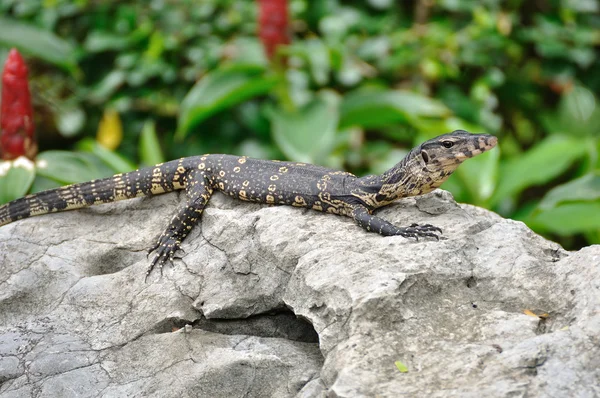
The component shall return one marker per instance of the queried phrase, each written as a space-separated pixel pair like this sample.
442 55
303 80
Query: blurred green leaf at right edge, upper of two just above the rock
586 188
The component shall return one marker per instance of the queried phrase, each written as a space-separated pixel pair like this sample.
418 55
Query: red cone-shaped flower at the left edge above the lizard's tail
17 133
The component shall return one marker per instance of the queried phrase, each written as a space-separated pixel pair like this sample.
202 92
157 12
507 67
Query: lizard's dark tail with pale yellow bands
143 182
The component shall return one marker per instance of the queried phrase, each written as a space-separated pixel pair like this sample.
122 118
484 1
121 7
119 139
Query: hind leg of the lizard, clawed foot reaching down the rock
198 192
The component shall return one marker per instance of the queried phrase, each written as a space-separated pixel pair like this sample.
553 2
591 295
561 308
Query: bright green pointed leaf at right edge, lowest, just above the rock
567 219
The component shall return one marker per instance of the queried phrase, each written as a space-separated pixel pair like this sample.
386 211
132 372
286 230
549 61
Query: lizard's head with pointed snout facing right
446 152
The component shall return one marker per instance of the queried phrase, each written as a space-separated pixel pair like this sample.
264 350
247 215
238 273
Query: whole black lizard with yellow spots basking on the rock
422 170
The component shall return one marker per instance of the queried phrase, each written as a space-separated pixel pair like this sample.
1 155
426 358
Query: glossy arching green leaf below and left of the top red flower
221 89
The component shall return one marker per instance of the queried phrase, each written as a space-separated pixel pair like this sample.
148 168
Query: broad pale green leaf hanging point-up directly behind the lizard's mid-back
308 134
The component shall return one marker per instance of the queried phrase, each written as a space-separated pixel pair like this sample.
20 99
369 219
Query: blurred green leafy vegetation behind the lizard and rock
123 84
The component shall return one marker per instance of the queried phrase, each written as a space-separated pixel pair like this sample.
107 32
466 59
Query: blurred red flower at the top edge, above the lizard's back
273 25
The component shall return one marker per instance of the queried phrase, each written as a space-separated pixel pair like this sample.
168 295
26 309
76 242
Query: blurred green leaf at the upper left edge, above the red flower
37 42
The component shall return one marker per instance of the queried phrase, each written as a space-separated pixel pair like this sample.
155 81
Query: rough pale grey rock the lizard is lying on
277 301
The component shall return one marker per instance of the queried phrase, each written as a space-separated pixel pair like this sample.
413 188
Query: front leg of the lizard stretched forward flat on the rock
366 220
